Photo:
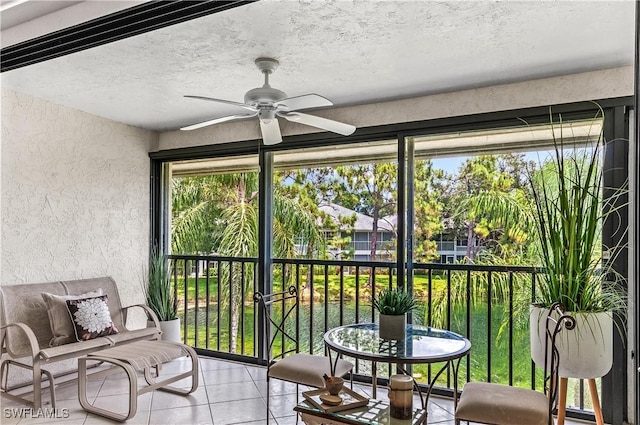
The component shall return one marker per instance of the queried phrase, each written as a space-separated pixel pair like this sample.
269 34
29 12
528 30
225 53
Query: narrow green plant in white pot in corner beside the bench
159 296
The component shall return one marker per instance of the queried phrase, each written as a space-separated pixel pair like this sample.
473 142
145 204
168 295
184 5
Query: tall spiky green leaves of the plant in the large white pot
570 210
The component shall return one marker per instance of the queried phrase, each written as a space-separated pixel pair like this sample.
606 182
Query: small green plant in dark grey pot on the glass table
393 306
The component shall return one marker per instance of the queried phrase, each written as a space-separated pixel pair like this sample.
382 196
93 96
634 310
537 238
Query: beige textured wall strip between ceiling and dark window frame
549 91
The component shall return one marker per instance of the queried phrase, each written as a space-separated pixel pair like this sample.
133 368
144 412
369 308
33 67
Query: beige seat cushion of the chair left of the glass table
307 369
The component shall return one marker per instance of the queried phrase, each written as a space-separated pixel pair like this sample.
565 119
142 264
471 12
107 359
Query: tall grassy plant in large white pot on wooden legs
570 207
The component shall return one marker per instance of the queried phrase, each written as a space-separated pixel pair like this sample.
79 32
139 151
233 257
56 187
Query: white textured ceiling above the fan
352 52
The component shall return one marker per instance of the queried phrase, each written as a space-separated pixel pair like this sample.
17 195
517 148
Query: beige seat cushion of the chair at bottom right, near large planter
502 405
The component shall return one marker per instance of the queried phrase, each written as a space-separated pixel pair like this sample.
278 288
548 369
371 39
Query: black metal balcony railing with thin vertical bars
487 304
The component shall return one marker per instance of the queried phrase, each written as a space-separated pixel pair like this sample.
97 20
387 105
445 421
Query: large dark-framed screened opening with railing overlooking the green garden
399 206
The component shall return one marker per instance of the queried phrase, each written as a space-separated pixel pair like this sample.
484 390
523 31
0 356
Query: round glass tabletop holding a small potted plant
423 344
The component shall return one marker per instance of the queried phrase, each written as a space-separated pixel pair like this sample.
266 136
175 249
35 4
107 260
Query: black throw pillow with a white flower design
91 318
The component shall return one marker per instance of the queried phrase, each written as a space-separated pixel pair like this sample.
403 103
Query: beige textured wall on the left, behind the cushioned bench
75 196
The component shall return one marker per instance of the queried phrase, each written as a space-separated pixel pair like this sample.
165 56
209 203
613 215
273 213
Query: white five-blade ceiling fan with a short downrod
268 103
